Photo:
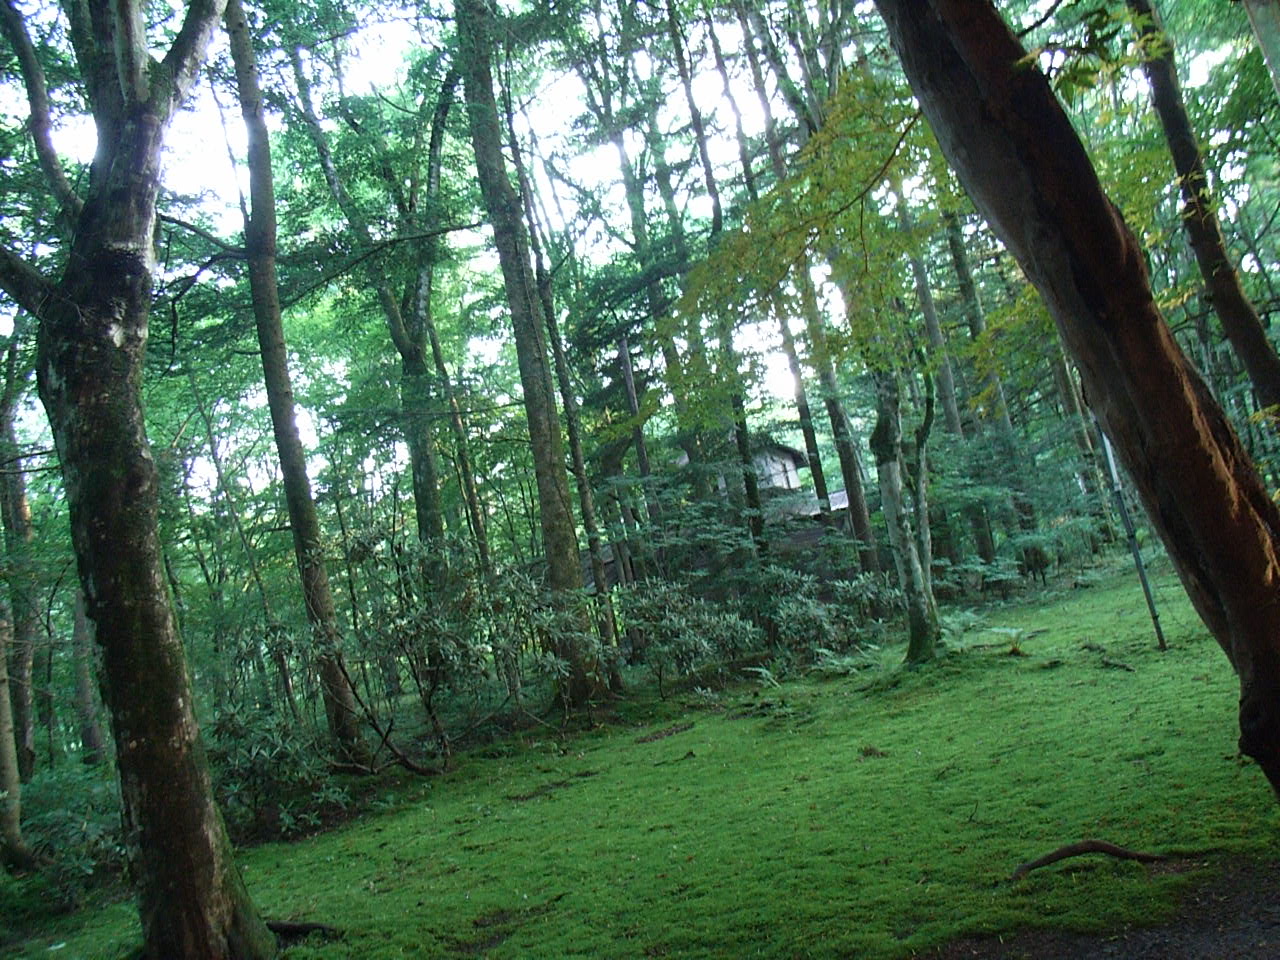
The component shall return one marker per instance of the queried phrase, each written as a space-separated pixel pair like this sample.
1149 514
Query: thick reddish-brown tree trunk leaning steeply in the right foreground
1025 167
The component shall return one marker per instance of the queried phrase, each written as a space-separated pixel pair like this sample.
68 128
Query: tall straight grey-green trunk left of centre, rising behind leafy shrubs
560 540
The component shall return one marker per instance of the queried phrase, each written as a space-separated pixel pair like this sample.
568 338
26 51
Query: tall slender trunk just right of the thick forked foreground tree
336 691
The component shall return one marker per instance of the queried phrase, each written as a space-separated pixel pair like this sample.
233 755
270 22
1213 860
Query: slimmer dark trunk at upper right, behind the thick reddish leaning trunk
1235 309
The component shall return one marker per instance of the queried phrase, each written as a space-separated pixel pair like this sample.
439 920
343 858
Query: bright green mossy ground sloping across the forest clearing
868 816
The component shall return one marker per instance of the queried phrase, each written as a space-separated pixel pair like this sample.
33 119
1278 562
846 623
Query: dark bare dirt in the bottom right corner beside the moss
1233 917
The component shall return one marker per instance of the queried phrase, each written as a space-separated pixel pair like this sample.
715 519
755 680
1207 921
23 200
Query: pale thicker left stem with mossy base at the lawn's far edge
886 445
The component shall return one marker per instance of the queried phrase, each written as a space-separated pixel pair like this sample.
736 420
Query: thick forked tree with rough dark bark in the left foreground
93 335
